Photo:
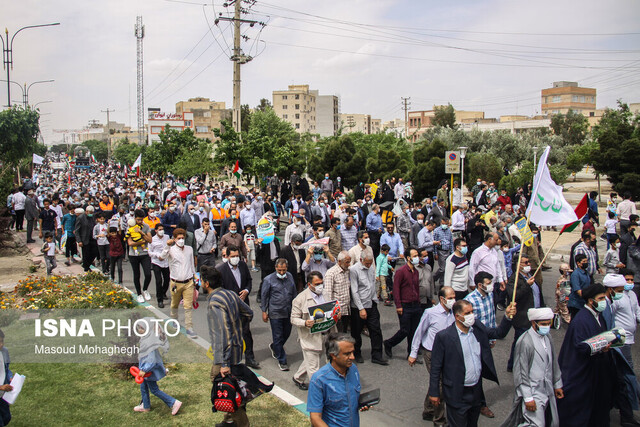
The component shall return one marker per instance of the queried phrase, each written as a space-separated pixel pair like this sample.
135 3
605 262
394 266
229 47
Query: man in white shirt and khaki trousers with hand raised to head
182 271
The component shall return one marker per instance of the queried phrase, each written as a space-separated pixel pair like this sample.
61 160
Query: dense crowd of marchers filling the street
447 264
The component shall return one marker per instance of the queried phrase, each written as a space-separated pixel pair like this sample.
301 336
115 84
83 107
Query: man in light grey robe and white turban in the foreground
536 374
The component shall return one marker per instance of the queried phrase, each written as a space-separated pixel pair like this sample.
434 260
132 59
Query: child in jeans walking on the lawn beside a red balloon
150 360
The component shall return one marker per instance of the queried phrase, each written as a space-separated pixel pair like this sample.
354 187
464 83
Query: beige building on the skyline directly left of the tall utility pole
207 115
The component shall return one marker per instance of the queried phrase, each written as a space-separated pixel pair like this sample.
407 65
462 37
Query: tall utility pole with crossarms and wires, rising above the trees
238 57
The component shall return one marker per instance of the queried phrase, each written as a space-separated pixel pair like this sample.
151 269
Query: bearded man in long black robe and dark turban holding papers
589 379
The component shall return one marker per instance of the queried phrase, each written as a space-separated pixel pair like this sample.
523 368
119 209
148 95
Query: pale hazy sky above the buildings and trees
490 55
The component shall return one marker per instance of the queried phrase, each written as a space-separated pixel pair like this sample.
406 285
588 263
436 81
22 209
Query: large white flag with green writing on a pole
547 205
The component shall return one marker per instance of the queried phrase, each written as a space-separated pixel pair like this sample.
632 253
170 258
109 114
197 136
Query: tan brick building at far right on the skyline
565 96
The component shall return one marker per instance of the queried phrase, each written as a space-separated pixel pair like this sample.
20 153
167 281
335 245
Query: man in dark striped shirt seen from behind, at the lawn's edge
225 314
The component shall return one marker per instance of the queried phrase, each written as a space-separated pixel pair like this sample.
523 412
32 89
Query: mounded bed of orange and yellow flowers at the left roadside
91 290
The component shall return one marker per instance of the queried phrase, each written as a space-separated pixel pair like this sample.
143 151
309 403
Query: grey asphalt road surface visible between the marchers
402 388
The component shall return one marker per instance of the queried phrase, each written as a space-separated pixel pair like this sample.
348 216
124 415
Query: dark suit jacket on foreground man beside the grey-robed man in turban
447 360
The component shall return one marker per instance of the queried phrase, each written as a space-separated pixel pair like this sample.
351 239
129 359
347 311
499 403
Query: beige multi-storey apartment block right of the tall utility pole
297 105
